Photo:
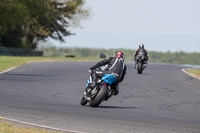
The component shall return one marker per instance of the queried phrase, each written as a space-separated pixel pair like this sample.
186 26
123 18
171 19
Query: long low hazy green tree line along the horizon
156 57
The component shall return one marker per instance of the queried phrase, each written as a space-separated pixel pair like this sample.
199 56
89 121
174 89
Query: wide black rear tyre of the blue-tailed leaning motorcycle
99 96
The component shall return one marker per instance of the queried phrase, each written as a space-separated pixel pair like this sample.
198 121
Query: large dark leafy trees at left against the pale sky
25 22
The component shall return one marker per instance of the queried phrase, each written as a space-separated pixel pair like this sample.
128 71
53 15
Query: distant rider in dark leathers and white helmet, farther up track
144 51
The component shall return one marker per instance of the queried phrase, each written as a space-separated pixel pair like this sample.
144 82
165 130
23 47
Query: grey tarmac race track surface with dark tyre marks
161 100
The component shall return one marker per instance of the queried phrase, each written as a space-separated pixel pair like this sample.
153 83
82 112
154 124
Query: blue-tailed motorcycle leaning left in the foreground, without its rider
101 92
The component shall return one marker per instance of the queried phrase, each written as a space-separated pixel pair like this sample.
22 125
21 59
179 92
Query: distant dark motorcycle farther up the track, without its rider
140 63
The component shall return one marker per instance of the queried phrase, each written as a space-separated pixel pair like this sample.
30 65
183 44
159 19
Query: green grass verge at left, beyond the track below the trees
7 62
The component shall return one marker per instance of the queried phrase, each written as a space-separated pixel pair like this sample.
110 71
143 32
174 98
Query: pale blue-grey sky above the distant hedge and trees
161 25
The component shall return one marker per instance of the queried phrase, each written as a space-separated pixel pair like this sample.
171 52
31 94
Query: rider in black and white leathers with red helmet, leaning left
116 66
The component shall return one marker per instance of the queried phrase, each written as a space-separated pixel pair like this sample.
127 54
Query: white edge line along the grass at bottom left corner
42 126
